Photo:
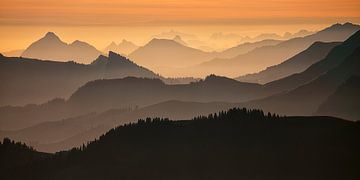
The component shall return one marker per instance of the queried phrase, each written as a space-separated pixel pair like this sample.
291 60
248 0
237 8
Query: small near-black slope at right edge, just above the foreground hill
344 102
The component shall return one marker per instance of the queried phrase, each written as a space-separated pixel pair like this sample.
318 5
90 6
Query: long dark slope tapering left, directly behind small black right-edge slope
307 98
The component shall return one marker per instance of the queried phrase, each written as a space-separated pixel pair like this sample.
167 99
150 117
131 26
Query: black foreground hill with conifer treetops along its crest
237 144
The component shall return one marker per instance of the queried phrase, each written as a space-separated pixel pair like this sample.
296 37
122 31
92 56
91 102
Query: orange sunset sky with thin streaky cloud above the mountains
101 21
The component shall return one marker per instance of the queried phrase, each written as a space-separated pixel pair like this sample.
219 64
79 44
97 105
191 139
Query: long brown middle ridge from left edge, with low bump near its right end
129 92
